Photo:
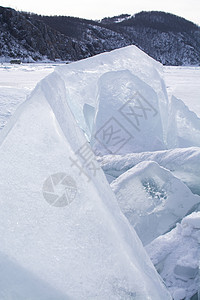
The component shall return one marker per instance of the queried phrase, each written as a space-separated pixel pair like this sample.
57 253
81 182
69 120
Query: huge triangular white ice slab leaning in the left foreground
60 225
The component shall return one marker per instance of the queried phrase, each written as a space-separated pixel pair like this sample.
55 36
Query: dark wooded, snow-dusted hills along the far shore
170 39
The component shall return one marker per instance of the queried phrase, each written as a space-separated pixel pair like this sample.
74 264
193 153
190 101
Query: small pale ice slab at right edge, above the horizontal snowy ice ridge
184 126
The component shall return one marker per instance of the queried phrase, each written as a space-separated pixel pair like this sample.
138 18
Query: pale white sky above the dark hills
97 9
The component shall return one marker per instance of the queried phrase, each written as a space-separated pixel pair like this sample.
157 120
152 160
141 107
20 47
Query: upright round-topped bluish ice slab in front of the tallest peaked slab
128 117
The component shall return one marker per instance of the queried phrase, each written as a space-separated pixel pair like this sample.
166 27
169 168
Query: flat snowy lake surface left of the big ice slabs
16 82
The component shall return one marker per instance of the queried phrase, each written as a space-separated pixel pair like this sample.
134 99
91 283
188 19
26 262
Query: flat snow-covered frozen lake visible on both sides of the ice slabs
16 82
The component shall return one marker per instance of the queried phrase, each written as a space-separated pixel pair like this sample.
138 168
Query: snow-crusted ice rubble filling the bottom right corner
176 256
